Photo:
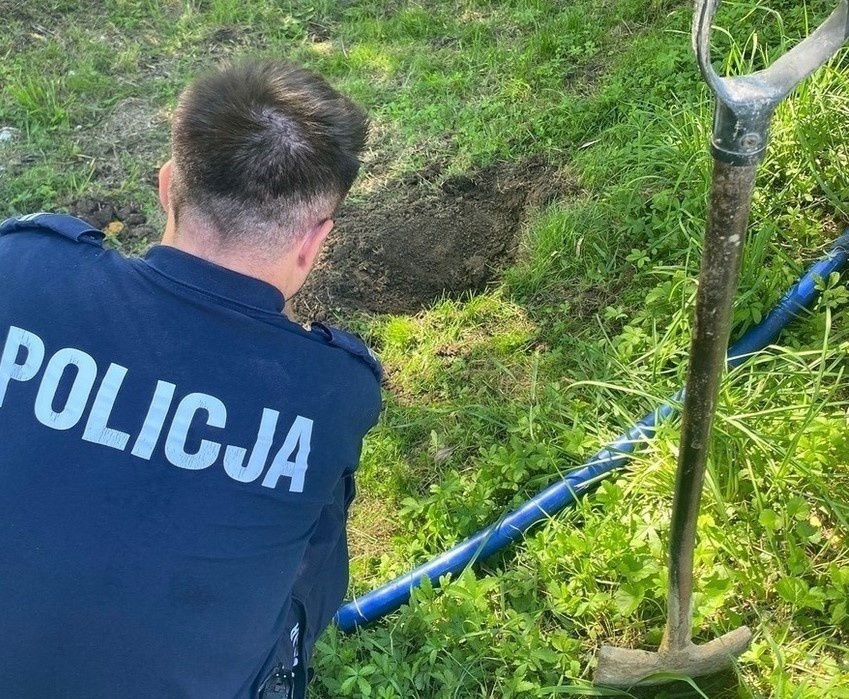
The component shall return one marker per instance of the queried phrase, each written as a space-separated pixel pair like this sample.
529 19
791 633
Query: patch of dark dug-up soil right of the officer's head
413 242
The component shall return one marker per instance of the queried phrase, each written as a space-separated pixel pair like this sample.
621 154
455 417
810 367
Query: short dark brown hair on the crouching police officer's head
263 149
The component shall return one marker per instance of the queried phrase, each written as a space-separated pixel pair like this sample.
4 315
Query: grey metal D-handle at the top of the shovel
744 104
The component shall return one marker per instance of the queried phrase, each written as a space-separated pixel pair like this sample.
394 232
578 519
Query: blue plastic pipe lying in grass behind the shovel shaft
510 527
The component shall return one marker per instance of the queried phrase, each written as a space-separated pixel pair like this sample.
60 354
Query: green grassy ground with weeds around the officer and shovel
491 397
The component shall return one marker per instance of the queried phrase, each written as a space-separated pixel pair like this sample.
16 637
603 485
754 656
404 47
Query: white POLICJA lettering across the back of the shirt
71 374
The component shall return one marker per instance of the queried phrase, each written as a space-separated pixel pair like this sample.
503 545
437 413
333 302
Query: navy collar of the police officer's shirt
213 279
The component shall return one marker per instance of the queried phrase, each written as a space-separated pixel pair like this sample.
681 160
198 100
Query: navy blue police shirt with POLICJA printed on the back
176 463
